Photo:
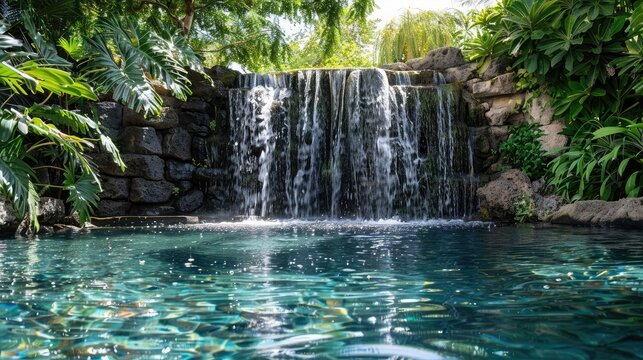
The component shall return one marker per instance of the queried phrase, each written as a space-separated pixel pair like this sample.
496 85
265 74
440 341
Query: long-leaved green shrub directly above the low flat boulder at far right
602 162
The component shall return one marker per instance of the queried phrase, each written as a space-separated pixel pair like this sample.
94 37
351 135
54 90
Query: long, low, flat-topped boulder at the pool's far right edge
625 213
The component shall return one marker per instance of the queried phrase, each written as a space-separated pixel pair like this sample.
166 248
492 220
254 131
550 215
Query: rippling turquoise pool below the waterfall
430 290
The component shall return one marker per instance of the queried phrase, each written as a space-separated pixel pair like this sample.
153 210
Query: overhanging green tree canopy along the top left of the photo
244 31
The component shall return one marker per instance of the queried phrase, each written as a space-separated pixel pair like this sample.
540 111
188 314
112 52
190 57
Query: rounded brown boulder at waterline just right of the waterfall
498 197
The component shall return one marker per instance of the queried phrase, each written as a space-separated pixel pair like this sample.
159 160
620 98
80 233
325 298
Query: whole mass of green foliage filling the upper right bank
588 55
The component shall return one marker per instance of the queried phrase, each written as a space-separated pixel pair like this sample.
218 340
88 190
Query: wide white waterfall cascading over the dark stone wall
364 143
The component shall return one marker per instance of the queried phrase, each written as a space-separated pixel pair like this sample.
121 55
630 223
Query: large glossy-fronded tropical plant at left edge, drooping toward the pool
39 136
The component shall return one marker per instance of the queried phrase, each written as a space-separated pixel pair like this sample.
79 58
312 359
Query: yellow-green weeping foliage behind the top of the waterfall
414 34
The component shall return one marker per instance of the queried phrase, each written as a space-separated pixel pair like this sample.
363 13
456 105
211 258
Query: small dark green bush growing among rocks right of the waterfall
522 150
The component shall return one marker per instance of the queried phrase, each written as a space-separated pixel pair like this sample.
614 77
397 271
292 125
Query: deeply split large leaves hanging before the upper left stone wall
125 57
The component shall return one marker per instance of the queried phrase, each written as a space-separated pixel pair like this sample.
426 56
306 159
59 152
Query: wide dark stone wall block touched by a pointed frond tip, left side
150 167
